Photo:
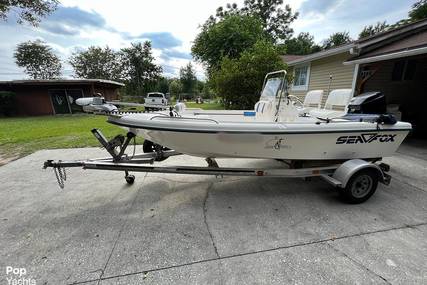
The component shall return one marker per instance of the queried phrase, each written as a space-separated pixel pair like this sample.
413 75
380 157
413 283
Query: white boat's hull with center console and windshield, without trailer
272 130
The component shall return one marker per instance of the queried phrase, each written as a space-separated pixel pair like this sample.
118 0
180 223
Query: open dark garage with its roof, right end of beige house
399 70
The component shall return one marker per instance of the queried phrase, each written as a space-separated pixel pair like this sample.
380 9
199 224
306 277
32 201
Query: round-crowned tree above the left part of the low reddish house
38 60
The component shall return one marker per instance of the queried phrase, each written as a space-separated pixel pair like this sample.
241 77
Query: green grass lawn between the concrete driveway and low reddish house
22 136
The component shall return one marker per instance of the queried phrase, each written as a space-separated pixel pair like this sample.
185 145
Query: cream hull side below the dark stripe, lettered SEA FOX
330 146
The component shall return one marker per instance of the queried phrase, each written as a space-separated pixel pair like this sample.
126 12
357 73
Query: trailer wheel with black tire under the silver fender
361 186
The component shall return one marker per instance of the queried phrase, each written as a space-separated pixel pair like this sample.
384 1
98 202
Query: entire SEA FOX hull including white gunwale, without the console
304 140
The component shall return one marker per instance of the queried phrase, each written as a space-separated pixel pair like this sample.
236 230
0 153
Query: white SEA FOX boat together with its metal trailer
345 151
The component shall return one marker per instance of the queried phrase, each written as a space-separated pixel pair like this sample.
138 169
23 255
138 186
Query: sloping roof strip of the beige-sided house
375 42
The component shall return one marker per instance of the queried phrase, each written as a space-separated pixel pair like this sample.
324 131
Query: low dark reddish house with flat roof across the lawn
50 97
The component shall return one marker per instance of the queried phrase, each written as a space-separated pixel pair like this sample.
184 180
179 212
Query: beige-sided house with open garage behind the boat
393 62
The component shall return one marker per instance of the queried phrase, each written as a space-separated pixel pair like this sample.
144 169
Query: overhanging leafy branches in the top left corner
27 11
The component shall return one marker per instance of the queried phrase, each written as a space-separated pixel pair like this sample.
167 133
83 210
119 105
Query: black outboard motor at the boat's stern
368 103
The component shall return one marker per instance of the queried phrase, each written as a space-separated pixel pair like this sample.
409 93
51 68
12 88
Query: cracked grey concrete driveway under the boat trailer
183 229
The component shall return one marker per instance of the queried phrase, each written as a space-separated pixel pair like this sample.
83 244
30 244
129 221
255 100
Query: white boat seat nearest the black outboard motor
335 106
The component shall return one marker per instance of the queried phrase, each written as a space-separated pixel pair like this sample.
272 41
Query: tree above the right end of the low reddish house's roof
97 62
